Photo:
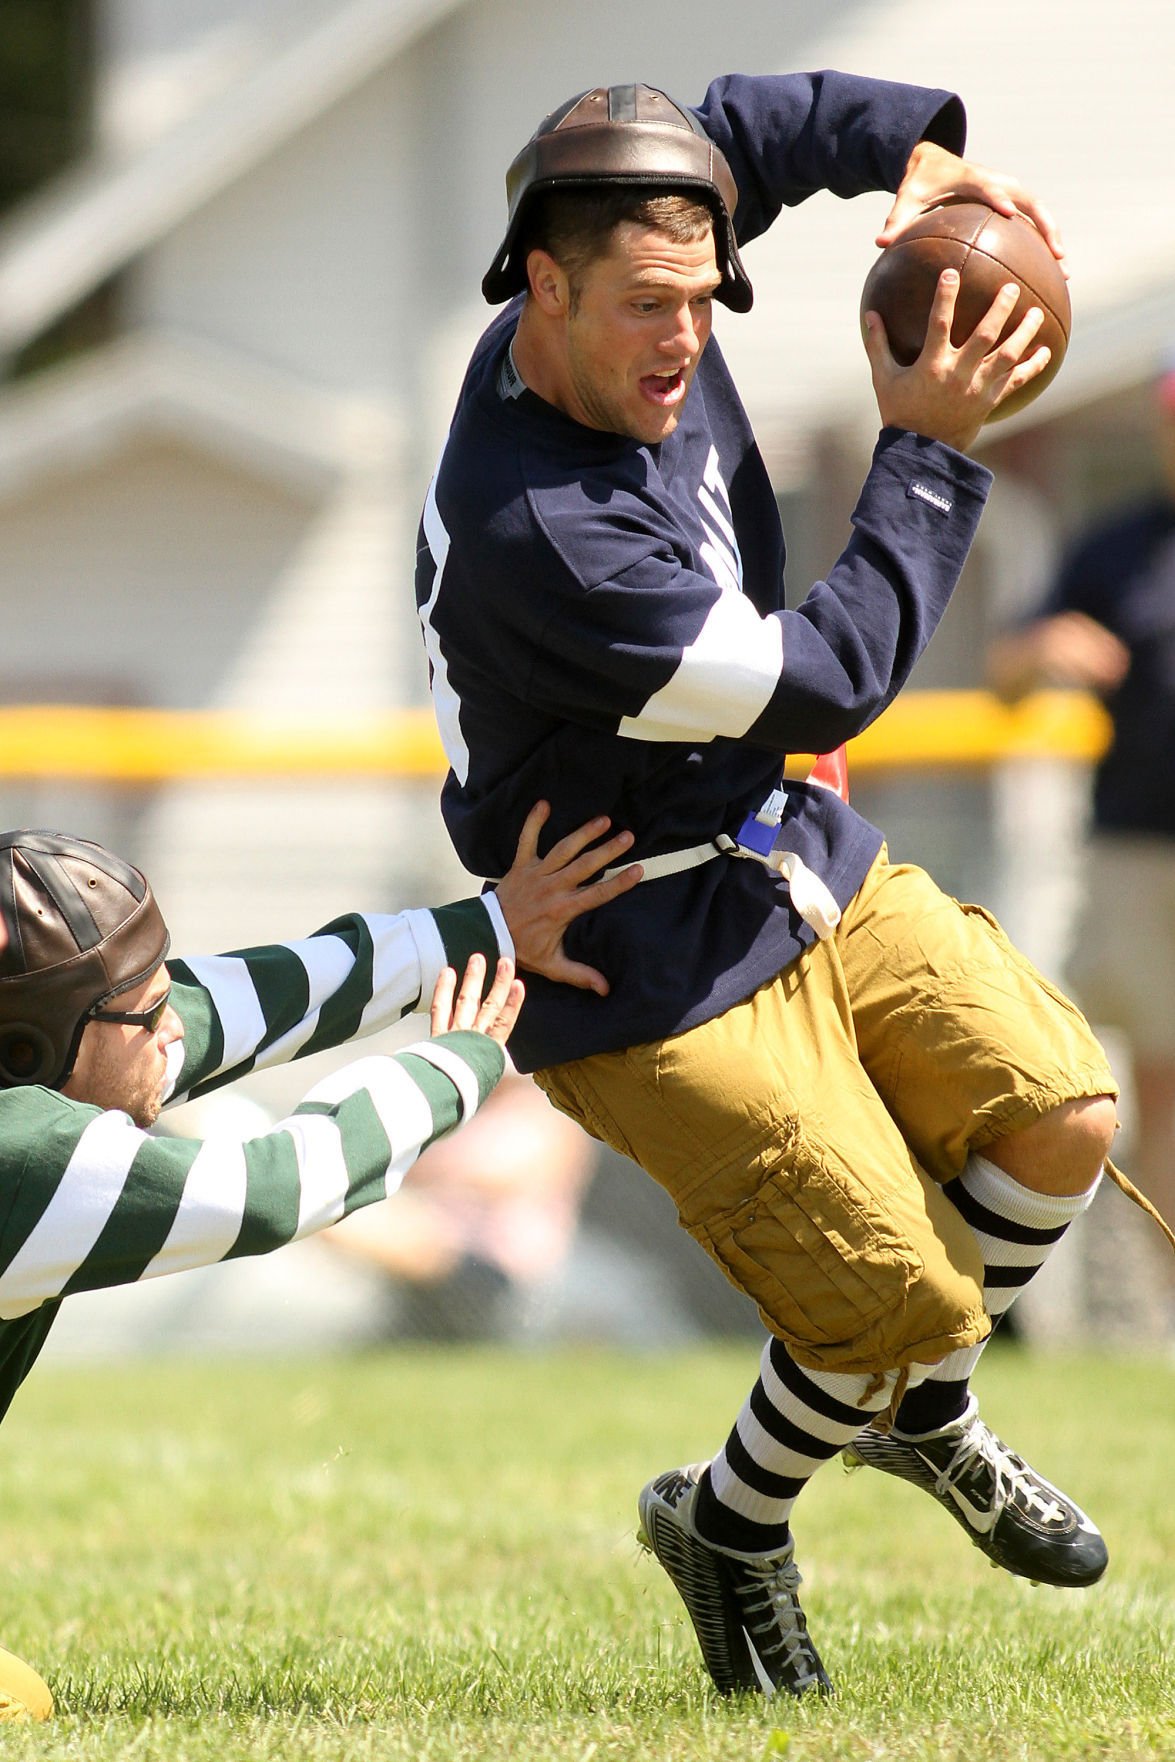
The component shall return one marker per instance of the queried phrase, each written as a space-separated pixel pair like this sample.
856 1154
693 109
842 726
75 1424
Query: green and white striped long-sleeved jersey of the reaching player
87 1199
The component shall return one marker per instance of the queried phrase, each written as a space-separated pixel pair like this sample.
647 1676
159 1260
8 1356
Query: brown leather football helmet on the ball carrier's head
621 135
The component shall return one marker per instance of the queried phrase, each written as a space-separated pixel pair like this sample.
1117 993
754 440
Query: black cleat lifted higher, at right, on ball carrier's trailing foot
1017 1518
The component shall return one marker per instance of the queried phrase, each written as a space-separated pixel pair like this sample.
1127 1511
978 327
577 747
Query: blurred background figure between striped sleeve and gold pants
536 1233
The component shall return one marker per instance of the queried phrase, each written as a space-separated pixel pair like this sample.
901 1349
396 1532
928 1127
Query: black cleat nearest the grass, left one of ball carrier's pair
746 1608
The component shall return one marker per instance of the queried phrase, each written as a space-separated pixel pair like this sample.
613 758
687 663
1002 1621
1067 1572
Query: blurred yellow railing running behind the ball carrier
924 729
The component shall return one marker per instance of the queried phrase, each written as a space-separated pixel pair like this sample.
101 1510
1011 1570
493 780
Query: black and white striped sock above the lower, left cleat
792 1423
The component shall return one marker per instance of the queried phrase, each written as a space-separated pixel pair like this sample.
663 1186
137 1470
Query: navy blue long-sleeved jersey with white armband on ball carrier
605 621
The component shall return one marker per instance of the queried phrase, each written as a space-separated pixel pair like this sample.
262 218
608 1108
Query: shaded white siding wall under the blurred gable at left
142 575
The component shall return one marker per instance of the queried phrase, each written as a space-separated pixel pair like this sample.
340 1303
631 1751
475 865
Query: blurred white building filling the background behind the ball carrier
293 204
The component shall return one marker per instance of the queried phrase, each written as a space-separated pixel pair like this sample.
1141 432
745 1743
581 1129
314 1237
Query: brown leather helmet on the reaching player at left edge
78 926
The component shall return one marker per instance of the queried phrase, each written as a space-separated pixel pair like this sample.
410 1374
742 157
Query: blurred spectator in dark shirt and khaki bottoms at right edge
1109 626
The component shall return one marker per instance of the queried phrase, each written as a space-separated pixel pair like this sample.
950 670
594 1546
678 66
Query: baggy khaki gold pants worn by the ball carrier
806 1136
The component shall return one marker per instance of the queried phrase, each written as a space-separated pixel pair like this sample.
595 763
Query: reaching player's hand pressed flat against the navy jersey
543 894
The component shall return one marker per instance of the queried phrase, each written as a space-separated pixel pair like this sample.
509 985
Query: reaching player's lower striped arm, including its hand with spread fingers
110 1204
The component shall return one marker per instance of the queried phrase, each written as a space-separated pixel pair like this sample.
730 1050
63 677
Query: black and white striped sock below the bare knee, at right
1017 1231
